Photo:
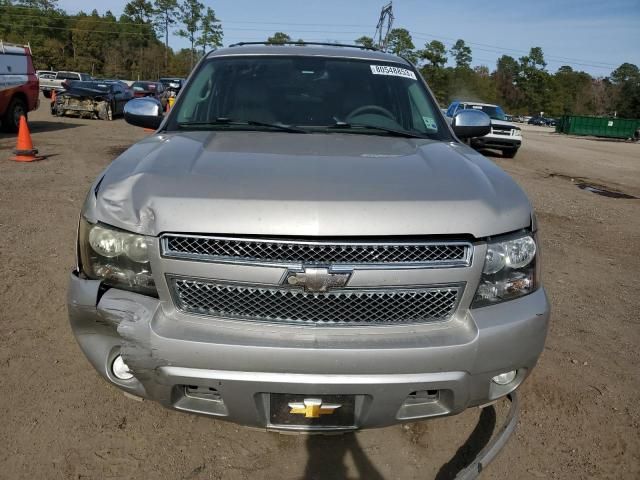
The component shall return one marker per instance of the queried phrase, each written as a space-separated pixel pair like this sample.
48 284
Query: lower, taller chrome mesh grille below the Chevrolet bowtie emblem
343 307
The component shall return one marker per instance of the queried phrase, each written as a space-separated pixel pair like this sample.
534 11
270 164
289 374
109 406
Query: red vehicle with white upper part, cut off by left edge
19 85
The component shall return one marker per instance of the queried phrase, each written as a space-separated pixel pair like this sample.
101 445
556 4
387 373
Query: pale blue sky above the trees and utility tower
591 35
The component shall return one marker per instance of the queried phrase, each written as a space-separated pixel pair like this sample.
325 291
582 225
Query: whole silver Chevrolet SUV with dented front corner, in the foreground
306 244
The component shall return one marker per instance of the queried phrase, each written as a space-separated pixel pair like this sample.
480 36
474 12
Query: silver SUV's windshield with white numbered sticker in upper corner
314 93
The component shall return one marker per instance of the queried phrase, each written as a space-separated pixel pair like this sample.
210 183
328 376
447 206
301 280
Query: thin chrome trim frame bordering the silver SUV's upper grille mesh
165 252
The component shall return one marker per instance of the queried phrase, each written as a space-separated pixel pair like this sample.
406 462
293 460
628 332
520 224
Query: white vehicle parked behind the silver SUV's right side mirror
504 135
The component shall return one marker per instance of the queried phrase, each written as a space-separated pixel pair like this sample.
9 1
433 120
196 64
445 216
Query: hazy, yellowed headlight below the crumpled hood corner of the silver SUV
120 259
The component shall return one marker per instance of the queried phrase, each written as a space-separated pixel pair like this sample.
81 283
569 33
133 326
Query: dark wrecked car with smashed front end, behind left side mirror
94 99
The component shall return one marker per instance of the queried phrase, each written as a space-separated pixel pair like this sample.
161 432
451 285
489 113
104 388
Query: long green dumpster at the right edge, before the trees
598 126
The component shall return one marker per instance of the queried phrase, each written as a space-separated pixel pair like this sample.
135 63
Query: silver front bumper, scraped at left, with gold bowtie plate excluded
172 354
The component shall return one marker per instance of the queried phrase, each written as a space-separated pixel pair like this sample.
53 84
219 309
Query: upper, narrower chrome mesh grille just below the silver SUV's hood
315 253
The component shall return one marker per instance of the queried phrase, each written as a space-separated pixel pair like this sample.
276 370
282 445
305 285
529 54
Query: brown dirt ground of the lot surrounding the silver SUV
580 408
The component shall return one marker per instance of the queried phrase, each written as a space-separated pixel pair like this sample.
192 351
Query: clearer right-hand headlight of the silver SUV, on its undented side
509 271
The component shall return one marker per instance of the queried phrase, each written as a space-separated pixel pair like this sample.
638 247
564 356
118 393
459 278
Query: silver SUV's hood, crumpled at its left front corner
282 184
